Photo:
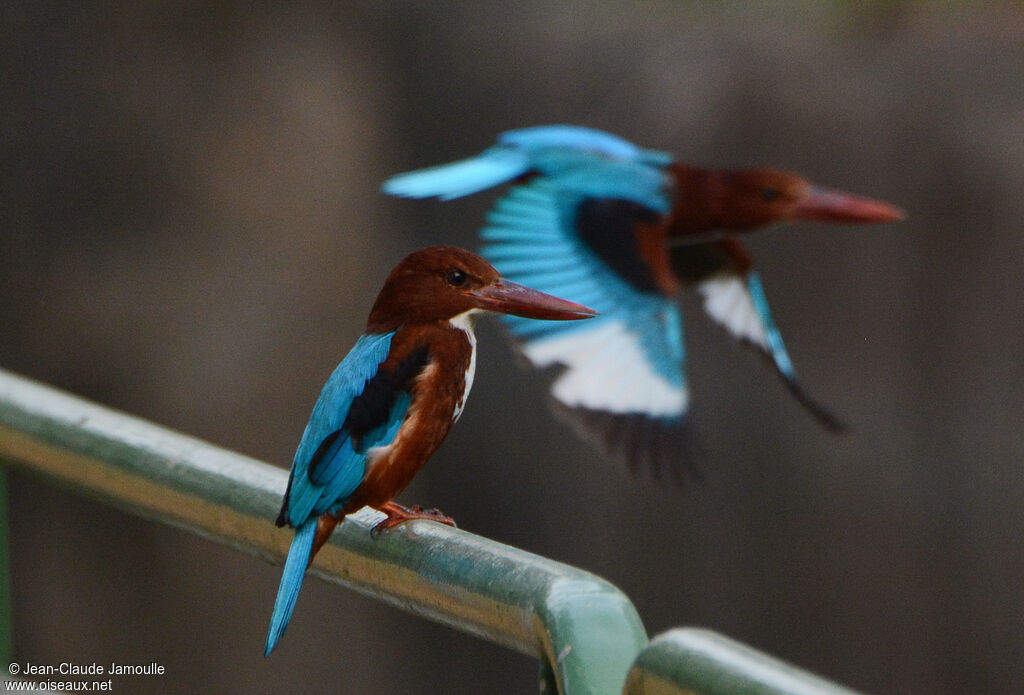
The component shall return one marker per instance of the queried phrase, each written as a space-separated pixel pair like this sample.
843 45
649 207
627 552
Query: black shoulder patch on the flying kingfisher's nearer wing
608 226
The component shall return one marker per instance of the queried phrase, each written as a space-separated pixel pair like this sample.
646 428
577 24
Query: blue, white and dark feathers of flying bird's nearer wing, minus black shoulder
622 370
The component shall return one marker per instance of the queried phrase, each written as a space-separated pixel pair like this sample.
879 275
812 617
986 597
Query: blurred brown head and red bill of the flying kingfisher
747 199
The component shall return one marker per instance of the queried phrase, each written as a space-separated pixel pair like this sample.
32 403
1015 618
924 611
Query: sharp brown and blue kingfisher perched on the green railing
392 402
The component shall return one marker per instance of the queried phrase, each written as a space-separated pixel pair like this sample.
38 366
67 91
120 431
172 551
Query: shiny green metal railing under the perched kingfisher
585 632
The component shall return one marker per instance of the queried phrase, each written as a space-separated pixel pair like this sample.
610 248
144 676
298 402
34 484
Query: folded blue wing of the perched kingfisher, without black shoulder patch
330 462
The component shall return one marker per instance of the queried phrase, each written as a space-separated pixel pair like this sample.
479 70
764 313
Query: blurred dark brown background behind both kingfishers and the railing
193 233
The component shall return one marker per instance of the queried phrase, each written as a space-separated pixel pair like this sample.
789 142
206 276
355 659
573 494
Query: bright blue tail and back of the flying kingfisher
549 150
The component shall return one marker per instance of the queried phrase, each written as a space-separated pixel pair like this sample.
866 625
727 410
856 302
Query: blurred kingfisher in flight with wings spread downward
624 230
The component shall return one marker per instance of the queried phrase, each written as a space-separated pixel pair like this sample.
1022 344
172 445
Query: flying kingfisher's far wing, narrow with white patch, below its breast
735 298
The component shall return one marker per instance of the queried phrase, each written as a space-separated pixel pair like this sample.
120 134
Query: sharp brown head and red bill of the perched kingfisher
440 283
